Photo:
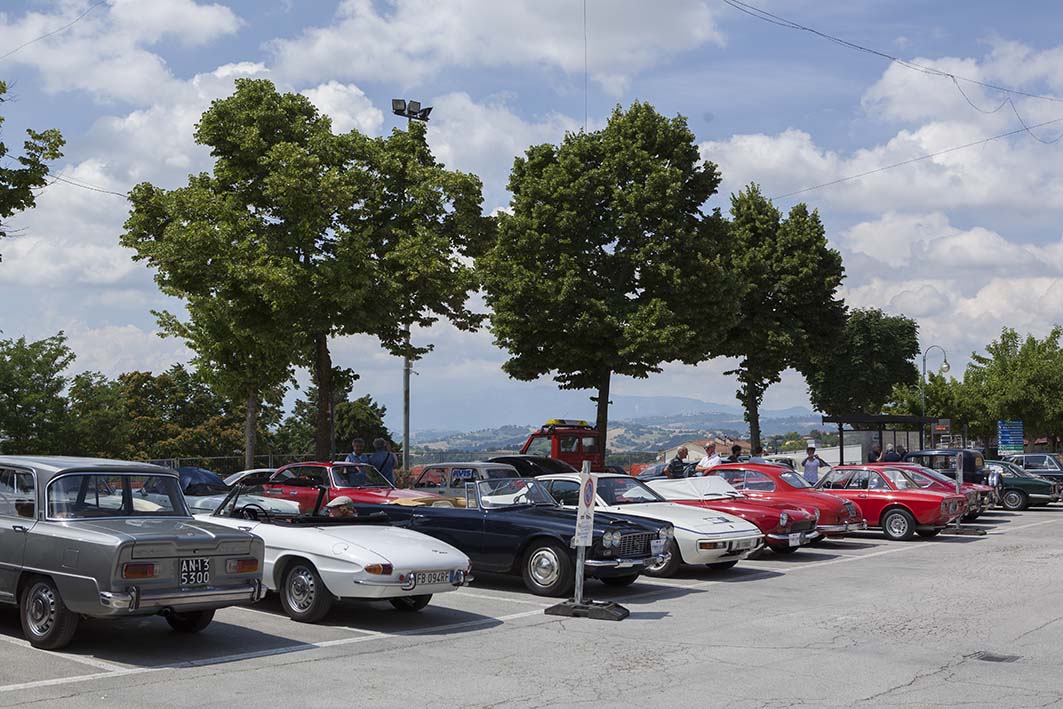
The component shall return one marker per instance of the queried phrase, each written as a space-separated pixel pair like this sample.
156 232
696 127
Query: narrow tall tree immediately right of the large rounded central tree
789 308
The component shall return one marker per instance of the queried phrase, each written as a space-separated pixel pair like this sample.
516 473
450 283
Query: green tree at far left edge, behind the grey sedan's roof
32 404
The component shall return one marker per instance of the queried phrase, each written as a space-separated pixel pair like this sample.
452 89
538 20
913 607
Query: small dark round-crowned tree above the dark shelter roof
857 374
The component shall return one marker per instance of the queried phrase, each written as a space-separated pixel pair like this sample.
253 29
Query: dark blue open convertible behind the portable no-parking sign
515 527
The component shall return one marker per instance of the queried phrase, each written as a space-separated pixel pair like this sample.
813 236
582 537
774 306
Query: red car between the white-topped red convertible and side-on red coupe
782 485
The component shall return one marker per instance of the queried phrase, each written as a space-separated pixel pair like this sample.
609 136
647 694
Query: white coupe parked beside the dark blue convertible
702 537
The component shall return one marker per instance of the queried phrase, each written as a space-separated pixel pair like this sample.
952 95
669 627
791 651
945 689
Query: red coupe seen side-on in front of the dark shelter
891 500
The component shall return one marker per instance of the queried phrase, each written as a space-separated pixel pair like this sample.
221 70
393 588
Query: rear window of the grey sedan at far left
92 496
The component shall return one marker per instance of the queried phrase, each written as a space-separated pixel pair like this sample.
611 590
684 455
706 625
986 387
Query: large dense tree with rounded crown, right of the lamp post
608 264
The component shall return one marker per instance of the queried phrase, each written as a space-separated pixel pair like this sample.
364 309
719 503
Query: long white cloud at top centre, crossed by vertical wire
409 41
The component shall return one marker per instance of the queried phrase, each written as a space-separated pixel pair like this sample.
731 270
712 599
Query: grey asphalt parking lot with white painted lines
860 621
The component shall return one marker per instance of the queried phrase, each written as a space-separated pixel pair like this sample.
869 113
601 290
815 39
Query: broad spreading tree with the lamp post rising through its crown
339 234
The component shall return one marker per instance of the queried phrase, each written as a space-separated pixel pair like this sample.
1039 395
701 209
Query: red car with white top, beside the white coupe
786 528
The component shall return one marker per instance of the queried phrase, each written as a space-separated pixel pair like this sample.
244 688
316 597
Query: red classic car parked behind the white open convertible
362 483
